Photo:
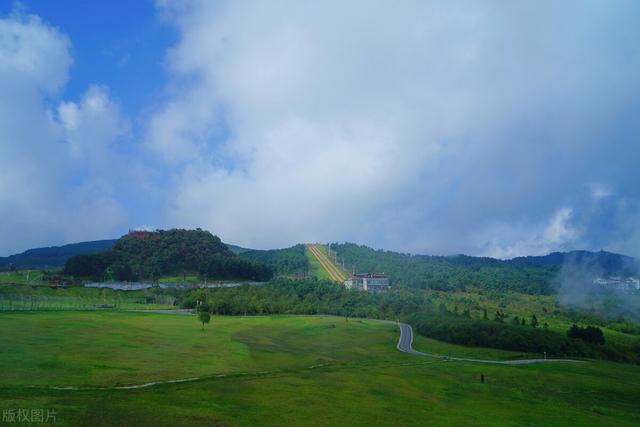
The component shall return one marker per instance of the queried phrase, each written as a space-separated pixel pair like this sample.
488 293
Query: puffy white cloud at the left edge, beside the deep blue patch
49 192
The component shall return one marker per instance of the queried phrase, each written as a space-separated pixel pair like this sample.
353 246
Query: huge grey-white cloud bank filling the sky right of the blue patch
436 127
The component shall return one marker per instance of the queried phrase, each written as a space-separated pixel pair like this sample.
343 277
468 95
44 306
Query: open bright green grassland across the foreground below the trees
286 370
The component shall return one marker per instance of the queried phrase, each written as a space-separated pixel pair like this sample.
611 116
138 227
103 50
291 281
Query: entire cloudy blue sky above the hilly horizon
438 127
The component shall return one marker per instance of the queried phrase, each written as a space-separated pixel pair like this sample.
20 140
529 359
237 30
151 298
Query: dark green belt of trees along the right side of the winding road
525 338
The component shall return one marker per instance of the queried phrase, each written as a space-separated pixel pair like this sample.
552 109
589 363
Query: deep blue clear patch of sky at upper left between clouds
118 43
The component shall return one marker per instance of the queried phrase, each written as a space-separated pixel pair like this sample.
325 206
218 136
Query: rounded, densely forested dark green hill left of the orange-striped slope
149 255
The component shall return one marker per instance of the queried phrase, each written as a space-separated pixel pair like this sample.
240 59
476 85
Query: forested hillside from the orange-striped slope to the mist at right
450 273
